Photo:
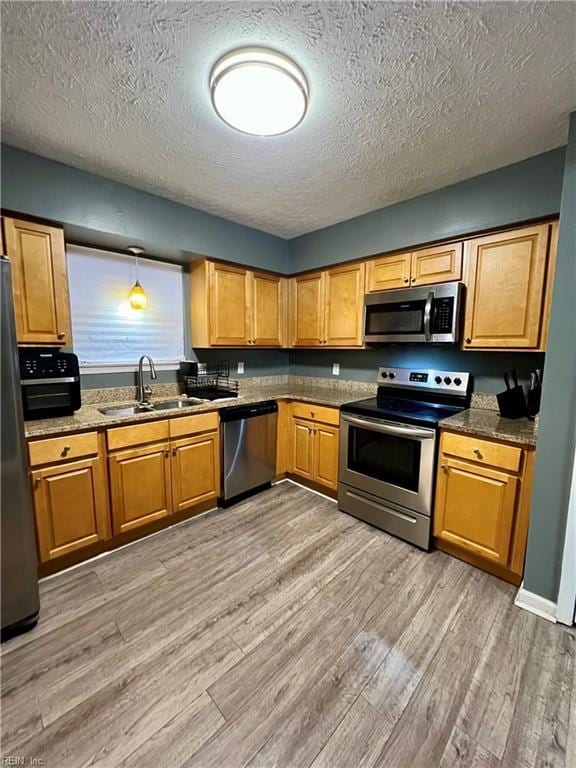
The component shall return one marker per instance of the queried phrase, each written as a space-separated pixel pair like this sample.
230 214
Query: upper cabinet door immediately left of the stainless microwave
344 306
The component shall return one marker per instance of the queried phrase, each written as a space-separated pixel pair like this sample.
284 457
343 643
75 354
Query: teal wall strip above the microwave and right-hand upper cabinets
520 192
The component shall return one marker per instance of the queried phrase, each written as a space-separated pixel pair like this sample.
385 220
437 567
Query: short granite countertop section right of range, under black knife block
487 423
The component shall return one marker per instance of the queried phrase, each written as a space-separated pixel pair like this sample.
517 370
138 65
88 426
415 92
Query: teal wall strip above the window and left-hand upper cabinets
97 211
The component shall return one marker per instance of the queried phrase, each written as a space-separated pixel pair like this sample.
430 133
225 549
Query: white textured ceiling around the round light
406 97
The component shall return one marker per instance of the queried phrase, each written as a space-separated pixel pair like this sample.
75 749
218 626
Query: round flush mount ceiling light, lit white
259 91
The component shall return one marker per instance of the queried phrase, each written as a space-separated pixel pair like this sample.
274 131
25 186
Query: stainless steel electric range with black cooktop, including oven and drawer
388 449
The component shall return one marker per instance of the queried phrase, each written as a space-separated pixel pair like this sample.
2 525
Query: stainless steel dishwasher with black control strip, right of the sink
248 449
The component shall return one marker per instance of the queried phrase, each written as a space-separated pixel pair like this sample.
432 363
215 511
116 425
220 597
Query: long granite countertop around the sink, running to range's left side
89 416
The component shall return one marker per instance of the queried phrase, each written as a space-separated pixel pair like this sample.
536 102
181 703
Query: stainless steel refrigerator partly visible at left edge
19 584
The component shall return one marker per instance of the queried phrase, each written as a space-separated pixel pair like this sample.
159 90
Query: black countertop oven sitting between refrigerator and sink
49 381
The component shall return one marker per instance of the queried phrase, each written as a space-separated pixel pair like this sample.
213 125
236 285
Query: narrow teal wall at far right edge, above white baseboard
555 454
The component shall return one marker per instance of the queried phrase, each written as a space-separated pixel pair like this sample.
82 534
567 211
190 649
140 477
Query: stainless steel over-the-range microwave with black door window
430 314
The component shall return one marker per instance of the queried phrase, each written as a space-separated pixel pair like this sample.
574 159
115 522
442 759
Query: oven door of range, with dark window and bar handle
389 460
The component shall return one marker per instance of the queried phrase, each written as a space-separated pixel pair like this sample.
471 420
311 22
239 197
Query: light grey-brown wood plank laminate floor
284 633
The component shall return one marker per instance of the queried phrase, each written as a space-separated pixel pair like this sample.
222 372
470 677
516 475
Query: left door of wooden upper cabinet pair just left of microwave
308 311
